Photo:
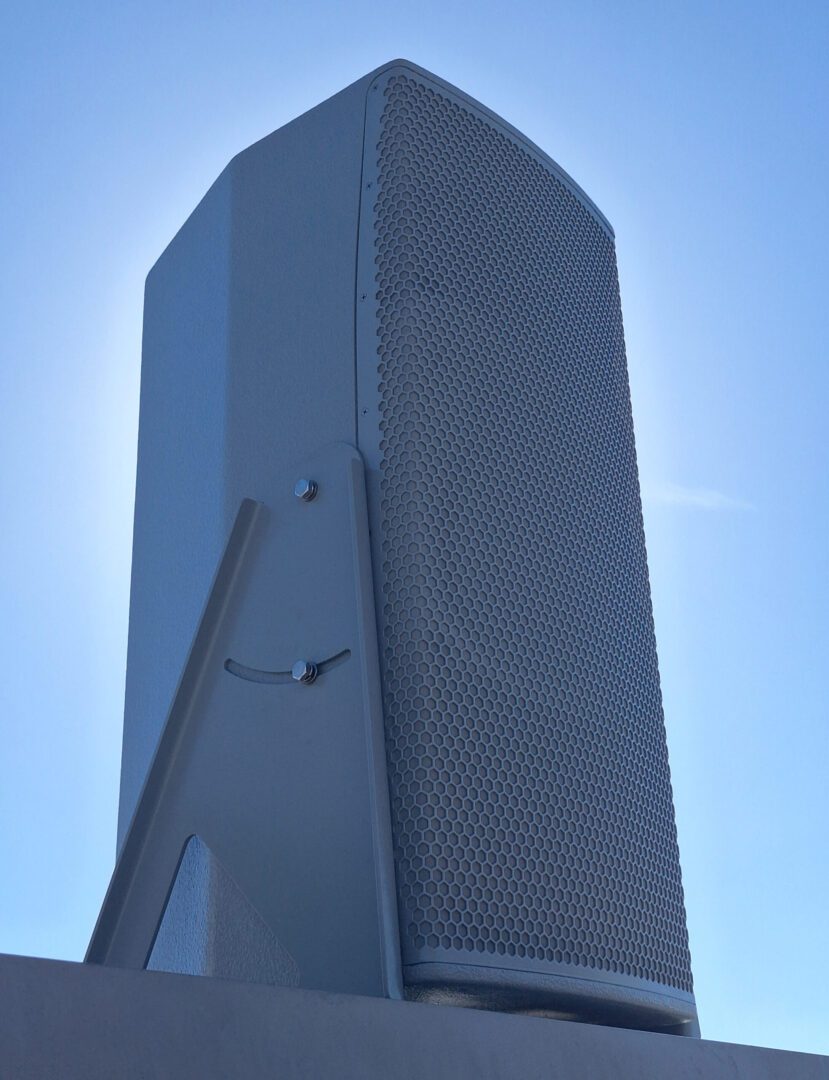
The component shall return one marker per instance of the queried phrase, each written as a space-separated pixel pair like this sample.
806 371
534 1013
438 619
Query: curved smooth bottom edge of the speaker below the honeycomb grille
554 996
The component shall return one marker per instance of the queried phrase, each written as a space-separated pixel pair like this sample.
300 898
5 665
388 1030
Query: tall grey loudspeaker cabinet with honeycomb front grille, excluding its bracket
402 272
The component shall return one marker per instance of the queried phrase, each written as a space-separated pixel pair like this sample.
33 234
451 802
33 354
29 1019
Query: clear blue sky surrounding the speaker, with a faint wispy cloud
701 131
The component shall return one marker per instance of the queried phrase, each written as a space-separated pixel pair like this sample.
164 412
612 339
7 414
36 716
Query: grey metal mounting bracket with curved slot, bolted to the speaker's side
282 777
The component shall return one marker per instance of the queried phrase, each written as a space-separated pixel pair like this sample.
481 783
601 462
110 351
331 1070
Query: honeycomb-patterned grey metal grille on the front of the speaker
528 766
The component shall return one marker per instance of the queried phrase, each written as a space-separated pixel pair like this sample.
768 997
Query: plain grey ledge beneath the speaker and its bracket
74 1021
